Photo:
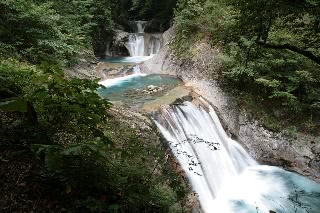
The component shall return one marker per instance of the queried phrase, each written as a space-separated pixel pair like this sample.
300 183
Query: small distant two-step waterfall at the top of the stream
142 44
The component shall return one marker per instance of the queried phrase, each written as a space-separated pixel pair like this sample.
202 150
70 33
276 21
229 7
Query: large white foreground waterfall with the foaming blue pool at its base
224 176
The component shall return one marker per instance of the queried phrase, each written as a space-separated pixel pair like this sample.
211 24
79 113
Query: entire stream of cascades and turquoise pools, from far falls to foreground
222 174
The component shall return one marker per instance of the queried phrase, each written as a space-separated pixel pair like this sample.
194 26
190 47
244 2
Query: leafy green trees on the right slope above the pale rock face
269 47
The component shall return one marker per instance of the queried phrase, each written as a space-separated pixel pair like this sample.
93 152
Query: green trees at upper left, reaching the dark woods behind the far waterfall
57 31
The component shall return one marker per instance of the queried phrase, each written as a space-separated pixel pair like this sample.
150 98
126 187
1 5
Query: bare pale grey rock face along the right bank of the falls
300 154
